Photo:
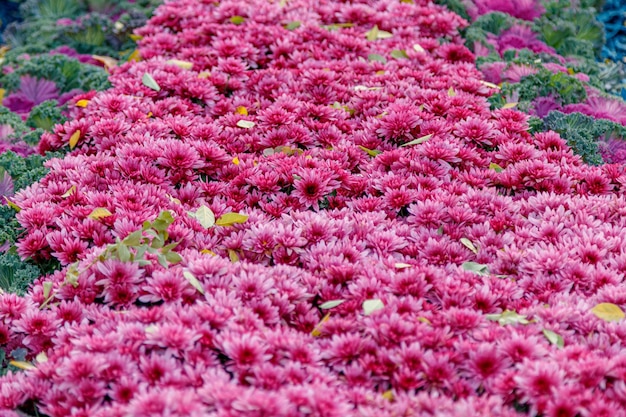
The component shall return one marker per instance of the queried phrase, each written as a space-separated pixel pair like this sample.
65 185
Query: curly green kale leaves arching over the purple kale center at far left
68 73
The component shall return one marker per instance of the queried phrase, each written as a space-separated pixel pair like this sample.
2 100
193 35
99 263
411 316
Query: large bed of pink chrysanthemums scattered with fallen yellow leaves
305 209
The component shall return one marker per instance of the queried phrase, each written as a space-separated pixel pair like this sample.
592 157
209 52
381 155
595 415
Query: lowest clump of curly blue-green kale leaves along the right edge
583 132
